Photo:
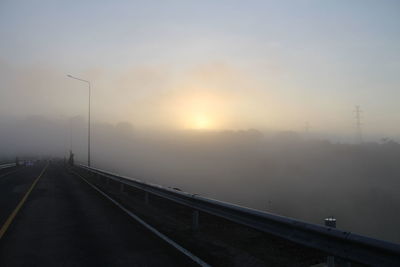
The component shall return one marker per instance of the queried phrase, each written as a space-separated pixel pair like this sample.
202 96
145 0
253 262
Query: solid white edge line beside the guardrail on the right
146 225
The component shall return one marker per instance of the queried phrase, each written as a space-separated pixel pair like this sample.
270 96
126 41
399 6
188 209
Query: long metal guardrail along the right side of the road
343 244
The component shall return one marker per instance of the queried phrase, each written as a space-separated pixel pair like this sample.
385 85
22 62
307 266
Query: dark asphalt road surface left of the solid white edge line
64 222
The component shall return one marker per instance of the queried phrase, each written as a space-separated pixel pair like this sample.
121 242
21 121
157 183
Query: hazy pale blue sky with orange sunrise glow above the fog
259 64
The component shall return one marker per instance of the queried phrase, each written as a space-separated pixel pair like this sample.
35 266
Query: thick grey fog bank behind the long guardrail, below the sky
287 173
